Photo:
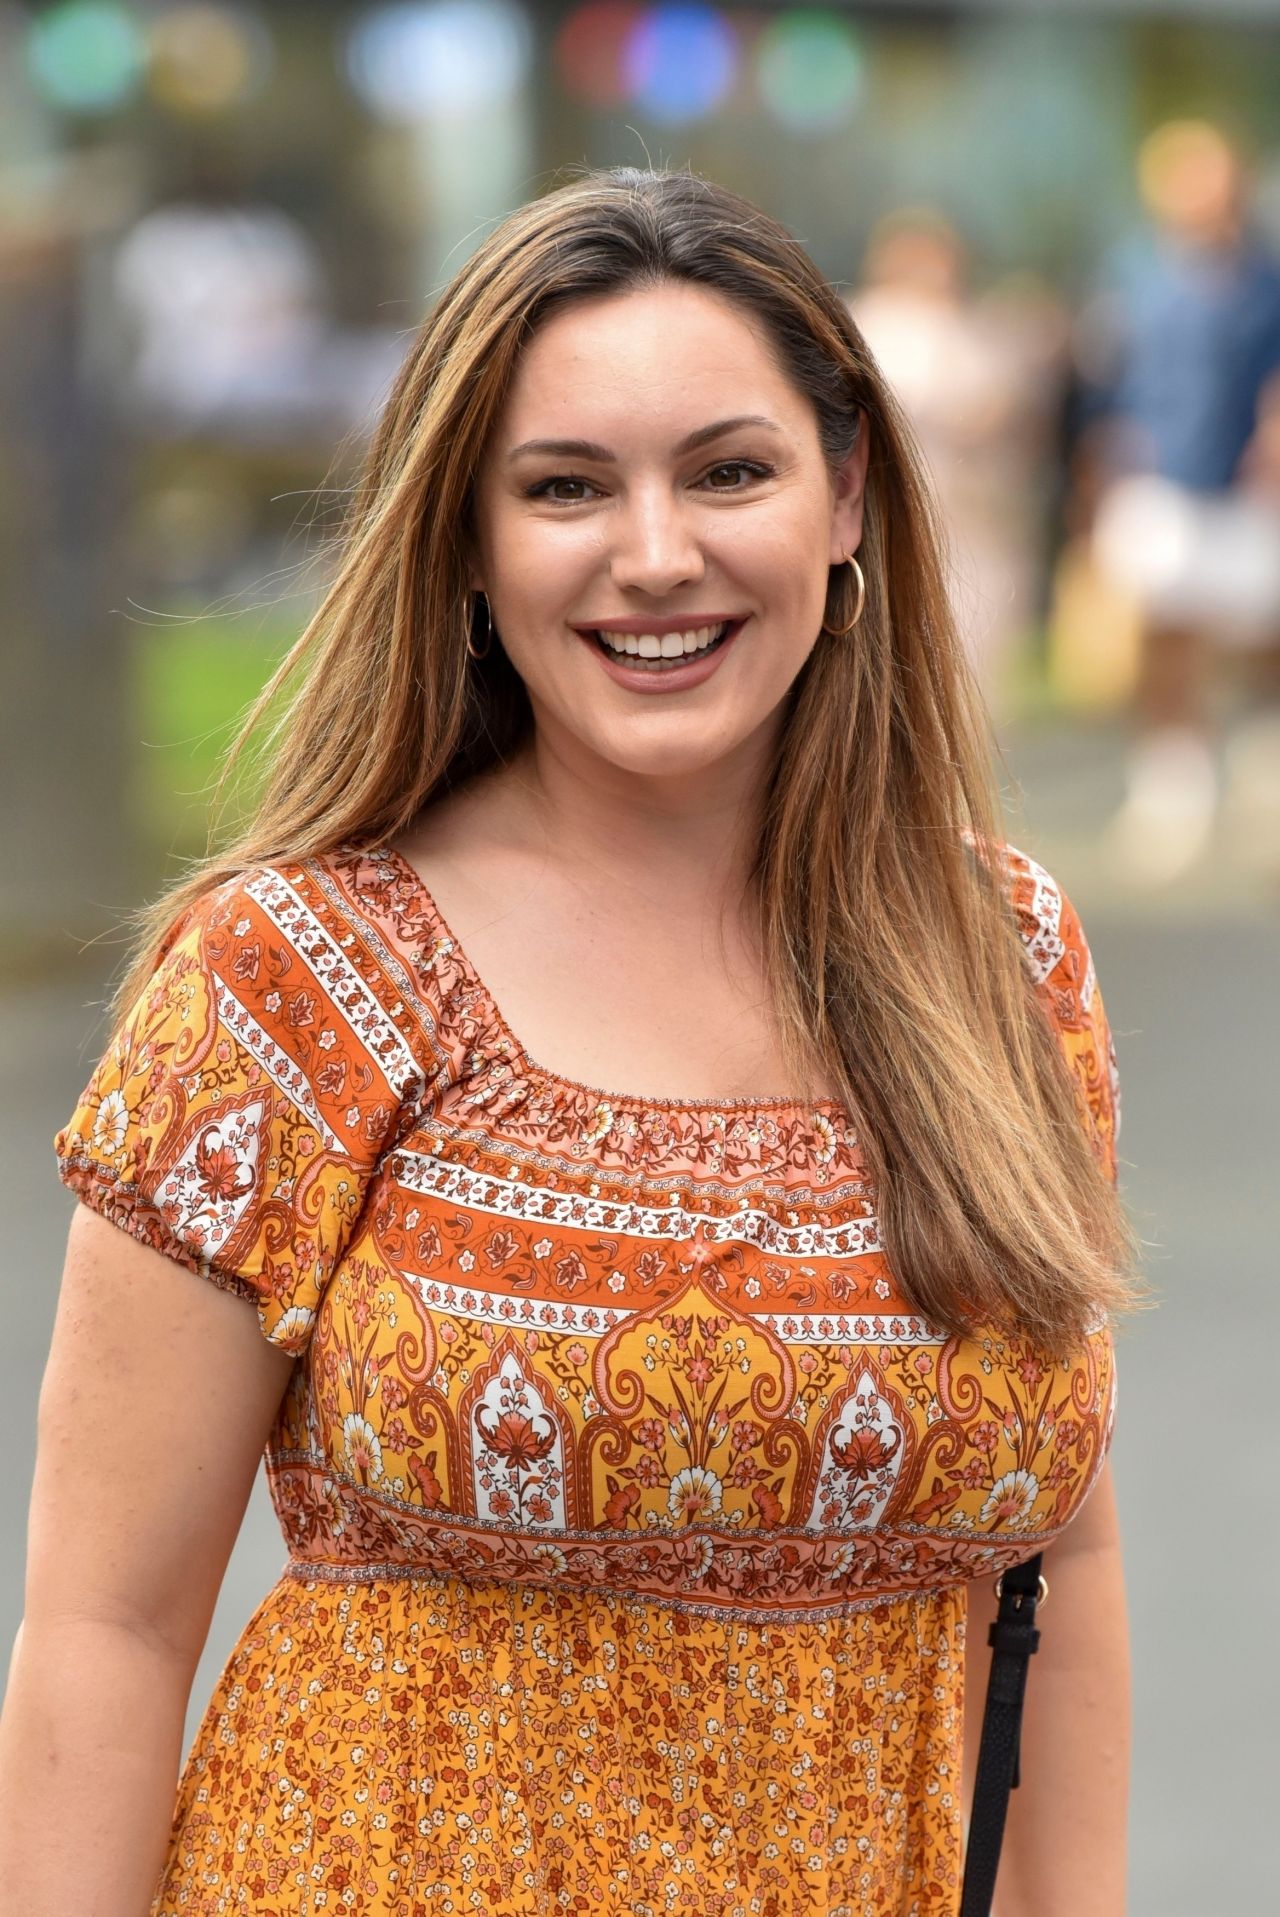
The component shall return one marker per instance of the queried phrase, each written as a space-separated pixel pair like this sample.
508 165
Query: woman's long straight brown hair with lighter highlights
888 933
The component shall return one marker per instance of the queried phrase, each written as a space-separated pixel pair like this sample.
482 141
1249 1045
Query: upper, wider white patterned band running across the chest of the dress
495 1197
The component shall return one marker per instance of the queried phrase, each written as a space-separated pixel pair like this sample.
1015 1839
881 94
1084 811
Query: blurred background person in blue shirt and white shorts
1181 358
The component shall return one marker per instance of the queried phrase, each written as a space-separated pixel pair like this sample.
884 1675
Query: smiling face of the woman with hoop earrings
656 473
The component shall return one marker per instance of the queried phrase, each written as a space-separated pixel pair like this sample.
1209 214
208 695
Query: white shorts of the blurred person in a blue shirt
1195 559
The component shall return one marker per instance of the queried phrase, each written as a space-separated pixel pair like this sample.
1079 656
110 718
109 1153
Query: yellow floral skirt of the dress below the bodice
421 1747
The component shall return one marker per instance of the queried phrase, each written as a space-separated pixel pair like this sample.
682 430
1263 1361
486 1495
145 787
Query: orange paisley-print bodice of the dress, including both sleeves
553 1335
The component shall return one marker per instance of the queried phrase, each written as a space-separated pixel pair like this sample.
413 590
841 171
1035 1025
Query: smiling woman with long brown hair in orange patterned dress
637 1452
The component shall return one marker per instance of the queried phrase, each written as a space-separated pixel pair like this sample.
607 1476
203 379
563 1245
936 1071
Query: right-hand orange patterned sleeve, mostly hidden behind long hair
1066 981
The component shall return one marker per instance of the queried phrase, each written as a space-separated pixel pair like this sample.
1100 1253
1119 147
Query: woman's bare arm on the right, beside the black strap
1066 1836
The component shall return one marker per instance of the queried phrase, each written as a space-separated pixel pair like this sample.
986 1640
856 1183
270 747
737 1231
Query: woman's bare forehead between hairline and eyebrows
674 350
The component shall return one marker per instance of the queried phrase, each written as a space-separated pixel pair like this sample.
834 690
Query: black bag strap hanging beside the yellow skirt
1013 1640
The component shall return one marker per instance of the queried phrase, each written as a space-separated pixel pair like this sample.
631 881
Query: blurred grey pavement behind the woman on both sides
1191 988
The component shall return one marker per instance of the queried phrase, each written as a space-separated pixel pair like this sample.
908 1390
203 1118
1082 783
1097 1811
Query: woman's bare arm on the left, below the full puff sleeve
154 1410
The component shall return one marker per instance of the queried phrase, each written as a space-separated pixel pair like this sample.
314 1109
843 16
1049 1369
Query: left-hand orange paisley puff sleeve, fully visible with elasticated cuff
240 1109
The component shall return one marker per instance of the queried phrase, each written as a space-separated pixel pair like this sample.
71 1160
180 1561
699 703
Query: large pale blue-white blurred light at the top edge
447 58
